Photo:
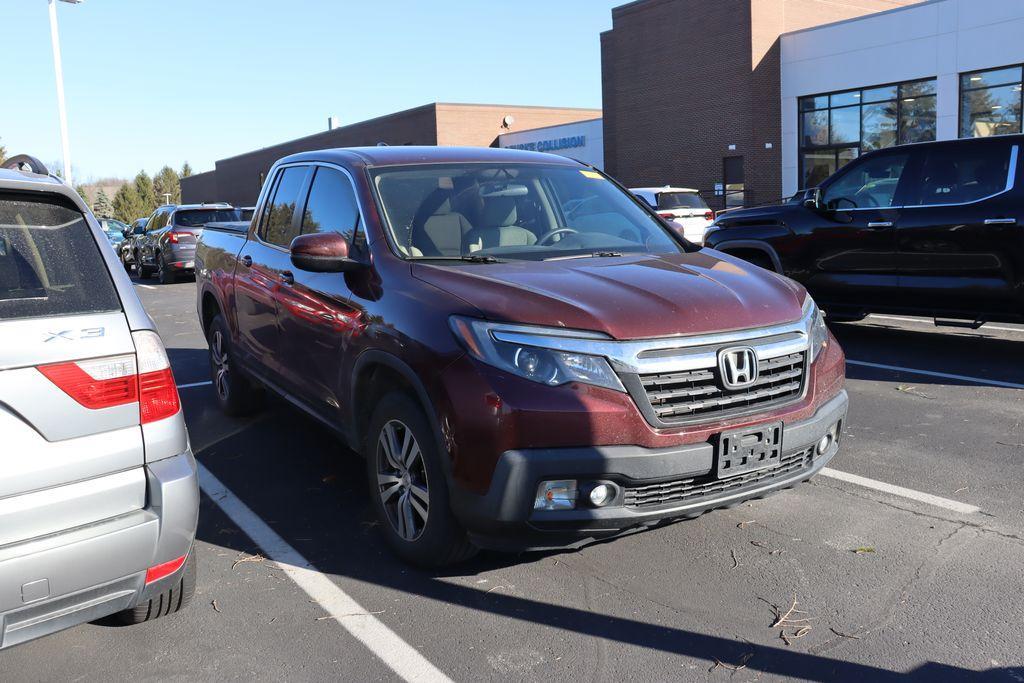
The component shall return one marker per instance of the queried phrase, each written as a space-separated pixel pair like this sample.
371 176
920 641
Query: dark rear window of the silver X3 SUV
50 263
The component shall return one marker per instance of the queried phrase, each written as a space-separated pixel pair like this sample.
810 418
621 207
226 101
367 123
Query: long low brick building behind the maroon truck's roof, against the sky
238 180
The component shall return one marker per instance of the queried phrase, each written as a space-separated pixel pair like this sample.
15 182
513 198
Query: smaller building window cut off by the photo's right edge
992 103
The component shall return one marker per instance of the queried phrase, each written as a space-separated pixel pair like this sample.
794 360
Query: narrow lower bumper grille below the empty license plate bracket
687 490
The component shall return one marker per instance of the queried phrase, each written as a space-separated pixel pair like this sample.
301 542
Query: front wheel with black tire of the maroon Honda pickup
439 540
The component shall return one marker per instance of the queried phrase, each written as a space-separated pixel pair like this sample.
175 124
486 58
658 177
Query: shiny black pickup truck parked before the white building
924 230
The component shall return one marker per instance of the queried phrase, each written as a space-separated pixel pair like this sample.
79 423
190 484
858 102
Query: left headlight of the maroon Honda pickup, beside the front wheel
533 363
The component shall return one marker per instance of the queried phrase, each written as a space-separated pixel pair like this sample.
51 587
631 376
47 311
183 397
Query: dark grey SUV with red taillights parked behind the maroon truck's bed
167 248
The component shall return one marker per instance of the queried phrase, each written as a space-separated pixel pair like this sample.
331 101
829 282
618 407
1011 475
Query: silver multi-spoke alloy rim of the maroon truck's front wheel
402 481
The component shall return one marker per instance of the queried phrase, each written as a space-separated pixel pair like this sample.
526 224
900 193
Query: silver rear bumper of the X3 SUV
84 574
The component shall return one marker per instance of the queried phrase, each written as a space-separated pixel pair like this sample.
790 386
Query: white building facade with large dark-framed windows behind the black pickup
940 70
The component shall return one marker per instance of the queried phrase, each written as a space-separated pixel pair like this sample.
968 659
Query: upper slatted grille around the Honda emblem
676 397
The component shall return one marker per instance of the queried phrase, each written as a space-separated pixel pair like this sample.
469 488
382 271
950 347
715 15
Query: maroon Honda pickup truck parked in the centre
525 354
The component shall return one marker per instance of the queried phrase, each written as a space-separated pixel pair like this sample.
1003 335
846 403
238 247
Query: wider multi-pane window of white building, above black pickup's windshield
836 129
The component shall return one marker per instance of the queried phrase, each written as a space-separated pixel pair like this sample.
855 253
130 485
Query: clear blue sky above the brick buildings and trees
152 82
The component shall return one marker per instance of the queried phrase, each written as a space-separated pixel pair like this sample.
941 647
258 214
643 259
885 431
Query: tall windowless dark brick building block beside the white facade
692 92
